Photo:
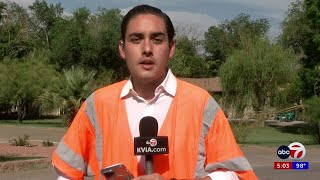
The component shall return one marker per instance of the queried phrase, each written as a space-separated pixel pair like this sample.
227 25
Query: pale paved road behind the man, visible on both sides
261 158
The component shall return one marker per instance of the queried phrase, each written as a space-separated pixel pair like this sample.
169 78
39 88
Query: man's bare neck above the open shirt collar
146 89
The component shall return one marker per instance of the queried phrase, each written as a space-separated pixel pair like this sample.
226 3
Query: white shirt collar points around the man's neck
169 84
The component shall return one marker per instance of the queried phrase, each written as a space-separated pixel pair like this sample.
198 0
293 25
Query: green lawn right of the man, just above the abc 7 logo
276 136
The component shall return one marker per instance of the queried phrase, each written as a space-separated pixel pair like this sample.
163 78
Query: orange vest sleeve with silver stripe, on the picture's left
74 155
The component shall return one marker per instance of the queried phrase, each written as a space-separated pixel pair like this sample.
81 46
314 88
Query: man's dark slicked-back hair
146 9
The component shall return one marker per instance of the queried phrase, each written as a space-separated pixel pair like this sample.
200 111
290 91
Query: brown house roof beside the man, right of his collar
209 84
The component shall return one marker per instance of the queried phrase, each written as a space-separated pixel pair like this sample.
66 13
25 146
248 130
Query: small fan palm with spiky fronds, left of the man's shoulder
69 92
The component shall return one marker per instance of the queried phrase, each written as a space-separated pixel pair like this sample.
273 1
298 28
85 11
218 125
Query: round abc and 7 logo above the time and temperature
294 151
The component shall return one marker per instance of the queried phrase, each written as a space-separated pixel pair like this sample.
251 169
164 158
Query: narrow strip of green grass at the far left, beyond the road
36 122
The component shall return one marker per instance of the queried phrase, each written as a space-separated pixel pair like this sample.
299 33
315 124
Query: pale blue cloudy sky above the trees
199 14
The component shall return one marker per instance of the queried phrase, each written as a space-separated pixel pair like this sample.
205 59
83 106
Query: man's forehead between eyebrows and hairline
146 23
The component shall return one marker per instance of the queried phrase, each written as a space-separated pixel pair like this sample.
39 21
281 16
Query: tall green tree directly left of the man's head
107 35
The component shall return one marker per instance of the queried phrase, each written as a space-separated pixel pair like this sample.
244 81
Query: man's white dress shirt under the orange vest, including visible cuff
137 108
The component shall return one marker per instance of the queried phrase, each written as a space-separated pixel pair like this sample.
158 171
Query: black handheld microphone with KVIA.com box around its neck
149 143
